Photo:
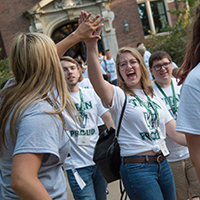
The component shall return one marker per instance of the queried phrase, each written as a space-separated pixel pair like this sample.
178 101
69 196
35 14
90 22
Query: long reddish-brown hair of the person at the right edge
192 56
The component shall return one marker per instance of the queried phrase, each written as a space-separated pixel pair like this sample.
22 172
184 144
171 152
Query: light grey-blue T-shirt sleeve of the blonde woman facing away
38 132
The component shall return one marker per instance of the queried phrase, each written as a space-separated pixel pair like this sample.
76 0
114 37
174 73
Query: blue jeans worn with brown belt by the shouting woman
148 181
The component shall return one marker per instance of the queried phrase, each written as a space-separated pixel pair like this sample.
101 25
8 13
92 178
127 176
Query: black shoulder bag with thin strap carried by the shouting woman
107 152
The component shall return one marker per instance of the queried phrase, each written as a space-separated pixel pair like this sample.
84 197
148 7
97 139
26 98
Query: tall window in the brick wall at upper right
153 16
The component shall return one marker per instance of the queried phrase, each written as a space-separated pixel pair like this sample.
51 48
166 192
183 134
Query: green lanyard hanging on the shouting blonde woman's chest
154 118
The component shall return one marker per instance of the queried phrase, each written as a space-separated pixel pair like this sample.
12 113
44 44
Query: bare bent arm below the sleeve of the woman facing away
24 177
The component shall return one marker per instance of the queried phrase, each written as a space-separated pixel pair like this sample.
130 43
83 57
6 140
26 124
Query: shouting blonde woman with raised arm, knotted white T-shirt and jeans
144 169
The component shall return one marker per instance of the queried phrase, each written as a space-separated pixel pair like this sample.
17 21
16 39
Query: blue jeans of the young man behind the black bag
96 185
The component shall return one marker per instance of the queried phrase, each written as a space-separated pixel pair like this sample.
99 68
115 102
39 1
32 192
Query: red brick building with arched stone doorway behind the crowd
126 21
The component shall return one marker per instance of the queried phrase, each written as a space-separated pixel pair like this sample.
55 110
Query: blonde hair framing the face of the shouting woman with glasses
145 80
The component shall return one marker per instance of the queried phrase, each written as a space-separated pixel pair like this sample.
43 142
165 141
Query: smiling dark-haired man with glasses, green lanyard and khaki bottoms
165 87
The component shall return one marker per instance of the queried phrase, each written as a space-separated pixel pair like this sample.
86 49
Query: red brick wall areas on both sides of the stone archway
13 22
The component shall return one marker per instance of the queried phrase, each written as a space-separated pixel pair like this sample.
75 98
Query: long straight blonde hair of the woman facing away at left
37 72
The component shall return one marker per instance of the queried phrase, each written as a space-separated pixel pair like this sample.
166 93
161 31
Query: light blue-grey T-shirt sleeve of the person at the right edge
189 111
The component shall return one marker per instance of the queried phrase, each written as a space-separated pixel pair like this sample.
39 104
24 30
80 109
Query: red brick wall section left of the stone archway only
12 21
